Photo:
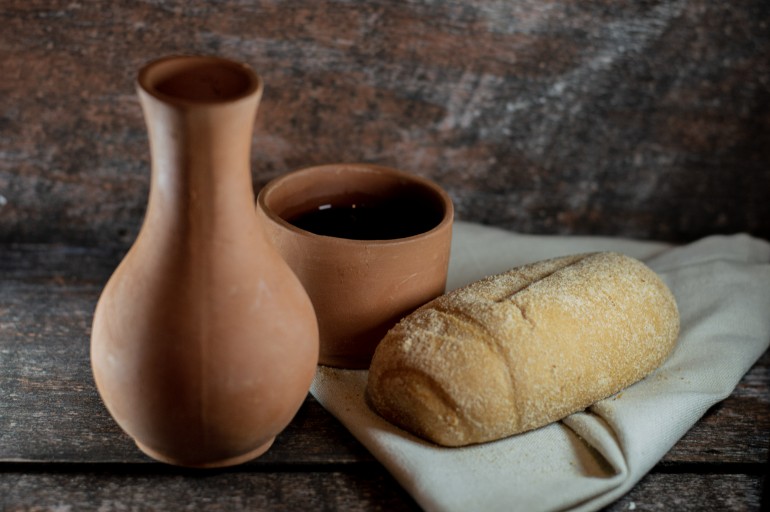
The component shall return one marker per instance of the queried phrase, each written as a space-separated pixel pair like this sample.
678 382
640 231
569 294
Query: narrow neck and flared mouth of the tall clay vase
200 115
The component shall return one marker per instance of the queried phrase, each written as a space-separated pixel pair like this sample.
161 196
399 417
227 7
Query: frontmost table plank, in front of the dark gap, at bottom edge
361 487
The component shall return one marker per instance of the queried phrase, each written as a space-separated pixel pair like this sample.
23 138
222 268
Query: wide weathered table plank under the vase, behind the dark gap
47 295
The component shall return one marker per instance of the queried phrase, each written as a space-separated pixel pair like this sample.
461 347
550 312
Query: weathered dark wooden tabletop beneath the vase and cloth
60 449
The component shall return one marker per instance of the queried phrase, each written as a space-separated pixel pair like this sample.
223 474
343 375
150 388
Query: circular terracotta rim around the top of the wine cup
446 202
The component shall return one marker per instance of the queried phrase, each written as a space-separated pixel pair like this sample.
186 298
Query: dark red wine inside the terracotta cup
373 219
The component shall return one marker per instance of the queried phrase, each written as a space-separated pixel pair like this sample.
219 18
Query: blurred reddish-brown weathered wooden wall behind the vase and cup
648 119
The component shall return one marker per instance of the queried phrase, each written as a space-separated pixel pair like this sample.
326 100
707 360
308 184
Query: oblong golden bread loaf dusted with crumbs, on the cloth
519 350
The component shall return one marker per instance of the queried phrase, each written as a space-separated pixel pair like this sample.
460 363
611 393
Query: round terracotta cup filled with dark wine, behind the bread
360 283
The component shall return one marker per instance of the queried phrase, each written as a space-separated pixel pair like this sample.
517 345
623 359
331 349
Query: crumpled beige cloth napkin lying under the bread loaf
590 459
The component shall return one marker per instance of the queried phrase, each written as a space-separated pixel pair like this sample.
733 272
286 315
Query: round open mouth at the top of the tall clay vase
198 80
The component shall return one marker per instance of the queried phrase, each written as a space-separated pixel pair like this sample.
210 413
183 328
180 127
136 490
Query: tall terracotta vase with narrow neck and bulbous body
204 343
